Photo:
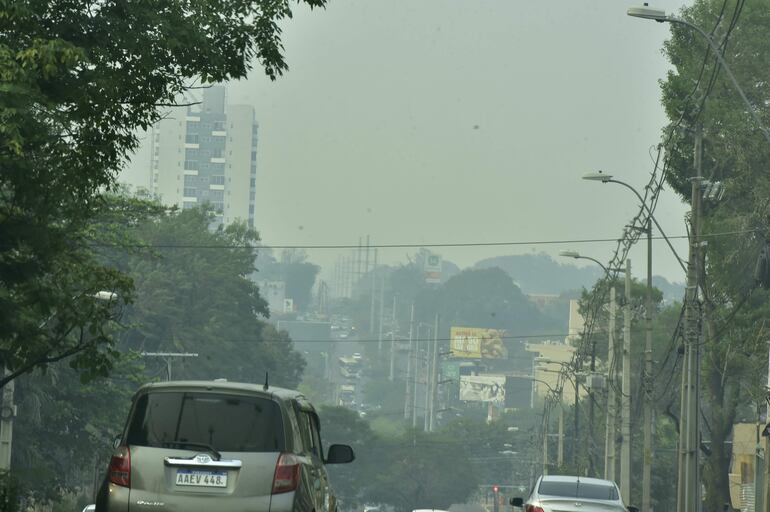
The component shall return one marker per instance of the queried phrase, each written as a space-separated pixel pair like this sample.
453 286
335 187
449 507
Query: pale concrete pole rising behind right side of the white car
625 399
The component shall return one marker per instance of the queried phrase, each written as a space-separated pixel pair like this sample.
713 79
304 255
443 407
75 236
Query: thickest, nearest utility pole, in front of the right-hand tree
688 488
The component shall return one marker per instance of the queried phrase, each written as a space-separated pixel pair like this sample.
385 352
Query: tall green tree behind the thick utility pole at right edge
735 154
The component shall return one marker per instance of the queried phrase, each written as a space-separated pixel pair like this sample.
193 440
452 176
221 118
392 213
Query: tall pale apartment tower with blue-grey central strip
207 154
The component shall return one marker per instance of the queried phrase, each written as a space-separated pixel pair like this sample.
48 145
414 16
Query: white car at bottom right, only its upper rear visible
554 493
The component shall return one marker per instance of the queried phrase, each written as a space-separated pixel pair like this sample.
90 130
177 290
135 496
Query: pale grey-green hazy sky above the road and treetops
427 121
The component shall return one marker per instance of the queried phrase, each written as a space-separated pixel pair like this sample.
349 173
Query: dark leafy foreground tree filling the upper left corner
78 81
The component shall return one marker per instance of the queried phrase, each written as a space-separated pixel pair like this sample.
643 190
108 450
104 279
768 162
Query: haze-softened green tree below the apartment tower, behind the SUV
202 301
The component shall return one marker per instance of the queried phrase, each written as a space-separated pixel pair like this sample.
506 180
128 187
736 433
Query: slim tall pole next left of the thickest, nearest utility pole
647 382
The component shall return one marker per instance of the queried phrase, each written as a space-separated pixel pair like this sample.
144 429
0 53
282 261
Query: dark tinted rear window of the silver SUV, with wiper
228 423
